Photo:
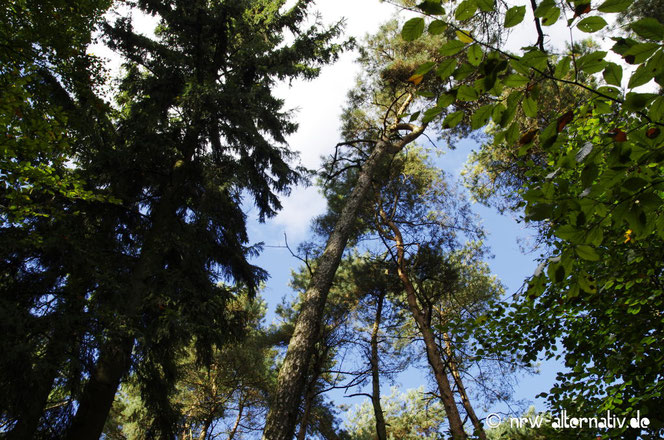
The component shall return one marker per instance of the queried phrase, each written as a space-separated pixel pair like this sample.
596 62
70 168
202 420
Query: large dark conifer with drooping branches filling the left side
197 128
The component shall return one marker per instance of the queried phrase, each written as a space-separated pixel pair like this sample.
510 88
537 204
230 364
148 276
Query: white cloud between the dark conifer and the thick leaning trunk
319 103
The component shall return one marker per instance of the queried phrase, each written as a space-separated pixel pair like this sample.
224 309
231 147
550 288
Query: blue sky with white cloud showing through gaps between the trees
318 105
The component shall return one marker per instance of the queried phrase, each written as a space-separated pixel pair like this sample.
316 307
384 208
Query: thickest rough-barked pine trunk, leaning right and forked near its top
282 416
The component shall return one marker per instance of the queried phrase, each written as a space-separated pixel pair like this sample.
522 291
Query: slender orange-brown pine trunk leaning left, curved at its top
433 354
